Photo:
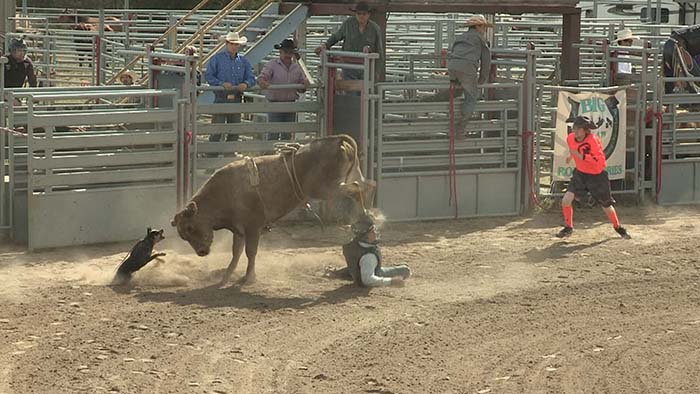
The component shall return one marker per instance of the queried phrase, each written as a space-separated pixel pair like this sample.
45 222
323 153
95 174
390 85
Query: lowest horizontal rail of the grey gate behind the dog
103 177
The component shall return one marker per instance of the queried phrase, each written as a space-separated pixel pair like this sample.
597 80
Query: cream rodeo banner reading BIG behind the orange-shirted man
608 111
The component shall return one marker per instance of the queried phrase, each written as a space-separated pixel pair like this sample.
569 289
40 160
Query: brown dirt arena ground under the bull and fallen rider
495 306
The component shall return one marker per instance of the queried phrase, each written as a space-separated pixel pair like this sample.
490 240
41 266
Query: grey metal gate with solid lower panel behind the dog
95 165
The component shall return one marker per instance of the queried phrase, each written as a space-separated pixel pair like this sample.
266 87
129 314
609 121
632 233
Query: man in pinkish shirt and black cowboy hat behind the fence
284 70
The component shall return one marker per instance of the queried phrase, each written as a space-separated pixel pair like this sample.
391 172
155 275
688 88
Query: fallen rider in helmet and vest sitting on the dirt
364 258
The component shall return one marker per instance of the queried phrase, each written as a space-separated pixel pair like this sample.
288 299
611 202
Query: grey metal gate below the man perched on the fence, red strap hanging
421 174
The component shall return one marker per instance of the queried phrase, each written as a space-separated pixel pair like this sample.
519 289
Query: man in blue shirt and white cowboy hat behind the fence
231 70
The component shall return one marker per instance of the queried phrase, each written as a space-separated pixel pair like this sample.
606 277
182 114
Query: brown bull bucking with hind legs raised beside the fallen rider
247 195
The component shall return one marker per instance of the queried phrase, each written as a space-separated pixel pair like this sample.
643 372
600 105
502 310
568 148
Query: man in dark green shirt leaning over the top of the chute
357 33
